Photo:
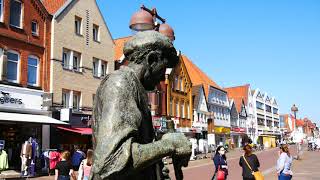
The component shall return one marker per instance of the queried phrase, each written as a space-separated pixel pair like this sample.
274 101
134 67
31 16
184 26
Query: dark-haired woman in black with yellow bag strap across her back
249 163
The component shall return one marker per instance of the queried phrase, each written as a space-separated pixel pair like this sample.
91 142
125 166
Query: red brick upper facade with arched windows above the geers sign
25 37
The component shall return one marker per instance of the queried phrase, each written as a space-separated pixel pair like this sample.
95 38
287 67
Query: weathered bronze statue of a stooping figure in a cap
124 140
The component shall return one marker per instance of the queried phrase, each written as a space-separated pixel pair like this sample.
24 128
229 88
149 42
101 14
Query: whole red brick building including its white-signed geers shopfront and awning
25 51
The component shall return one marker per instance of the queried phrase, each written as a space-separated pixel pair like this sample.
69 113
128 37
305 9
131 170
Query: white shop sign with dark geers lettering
20 98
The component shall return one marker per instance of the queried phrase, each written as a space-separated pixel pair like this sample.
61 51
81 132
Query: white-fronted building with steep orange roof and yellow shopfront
217 100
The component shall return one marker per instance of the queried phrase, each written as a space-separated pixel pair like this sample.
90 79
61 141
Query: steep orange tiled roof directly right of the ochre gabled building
198 77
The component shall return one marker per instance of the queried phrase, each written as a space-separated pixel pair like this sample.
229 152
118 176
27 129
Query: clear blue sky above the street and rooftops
273 45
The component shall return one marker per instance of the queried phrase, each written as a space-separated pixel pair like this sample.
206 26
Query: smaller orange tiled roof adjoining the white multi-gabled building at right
238 94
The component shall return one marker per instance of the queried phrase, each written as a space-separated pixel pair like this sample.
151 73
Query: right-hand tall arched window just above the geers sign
33 70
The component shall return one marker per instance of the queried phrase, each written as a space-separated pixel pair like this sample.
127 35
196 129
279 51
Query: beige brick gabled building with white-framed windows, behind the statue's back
81 56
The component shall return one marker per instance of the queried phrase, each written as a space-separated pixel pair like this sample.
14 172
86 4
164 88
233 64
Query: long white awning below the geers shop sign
30 118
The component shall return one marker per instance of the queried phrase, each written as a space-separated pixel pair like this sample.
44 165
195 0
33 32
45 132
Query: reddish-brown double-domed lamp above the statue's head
145 19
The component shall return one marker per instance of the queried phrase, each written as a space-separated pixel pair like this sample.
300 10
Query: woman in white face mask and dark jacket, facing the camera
220 163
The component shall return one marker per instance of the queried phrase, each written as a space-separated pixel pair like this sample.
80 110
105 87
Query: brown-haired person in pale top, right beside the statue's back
85 166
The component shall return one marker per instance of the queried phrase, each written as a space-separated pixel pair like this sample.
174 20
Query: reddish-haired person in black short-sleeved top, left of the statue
63 169
